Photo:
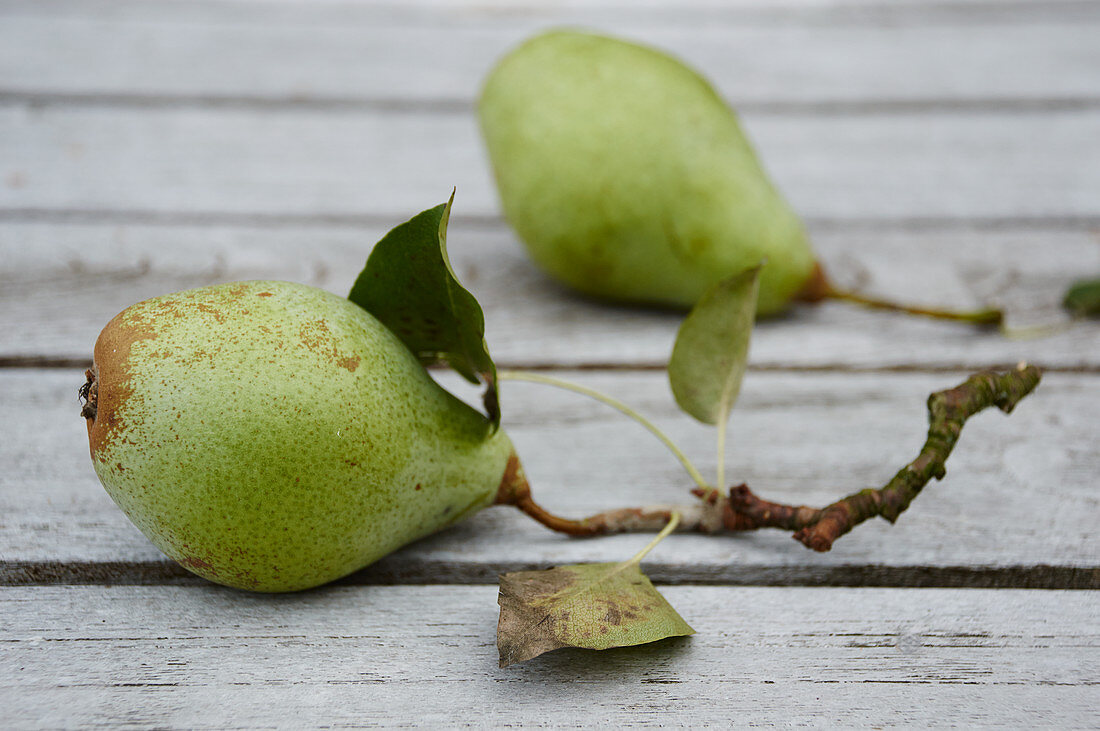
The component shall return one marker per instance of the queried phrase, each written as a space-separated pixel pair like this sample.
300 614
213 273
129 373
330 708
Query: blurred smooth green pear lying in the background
629 178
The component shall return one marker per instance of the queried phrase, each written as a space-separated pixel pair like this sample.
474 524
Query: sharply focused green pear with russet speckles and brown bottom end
274 437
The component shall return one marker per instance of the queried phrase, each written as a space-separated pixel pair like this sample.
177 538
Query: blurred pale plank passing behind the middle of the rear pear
310 163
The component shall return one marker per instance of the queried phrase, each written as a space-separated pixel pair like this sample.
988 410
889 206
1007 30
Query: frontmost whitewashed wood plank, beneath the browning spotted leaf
205 658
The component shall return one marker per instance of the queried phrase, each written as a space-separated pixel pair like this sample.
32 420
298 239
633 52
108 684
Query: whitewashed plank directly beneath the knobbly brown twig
1020 491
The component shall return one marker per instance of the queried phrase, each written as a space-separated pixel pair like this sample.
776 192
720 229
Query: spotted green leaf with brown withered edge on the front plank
591 606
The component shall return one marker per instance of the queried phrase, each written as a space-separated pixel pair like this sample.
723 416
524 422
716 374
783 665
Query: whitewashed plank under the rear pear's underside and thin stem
61 283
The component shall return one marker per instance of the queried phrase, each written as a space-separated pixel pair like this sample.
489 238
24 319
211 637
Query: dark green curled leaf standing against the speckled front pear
410 286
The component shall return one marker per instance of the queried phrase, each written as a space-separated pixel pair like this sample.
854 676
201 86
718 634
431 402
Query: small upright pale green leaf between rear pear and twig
712 349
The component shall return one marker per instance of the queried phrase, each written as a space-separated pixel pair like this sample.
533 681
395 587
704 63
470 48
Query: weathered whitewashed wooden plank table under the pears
945 154
